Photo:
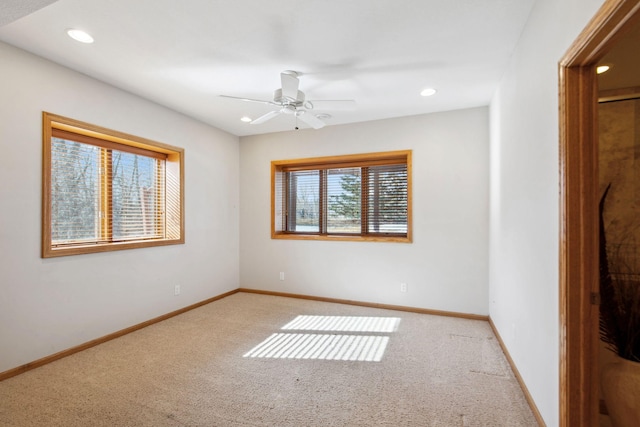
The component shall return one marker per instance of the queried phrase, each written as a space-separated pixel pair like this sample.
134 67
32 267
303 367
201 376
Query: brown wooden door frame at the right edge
579 316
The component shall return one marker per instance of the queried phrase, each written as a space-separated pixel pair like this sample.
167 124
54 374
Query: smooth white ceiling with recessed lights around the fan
185 53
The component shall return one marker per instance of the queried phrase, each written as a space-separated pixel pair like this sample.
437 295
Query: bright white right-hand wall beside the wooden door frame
524 220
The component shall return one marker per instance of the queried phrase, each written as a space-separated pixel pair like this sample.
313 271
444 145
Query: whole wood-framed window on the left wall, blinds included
104 190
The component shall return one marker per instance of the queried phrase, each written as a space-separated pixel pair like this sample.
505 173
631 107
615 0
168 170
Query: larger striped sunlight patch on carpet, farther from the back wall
362 348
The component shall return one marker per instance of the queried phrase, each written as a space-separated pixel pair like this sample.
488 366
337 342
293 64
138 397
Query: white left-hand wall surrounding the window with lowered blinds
48 305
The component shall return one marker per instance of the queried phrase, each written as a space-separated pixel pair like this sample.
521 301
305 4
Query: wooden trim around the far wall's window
345 161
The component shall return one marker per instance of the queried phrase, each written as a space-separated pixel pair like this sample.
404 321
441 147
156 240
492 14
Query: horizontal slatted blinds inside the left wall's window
101 194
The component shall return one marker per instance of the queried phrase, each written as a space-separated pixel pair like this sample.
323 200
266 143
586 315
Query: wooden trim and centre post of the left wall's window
55 125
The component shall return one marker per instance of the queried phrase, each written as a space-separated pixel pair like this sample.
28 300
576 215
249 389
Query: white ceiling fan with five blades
289 100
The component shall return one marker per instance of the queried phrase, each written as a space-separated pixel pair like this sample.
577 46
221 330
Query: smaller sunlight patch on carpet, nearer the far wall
344 324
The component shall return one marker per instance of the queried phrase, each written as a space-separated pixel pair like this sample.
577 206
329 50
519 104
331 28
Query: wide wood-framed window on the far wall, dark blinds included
354 197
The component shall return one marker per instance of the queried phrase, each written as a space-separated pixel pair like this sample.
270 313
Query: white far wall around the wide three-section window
446 266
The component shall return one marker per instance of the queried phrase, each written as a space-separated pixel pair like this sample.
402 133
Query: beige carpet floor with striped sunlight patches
340 365
